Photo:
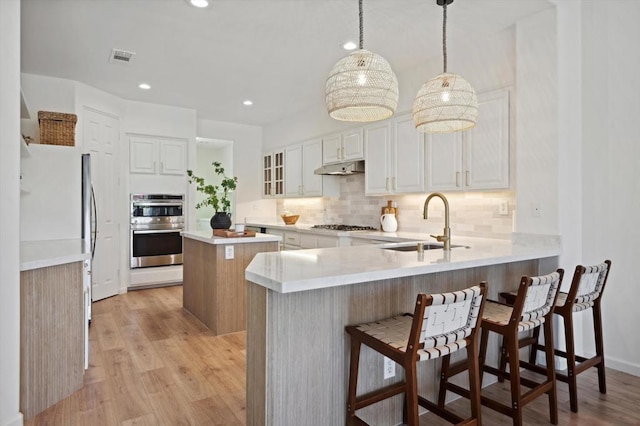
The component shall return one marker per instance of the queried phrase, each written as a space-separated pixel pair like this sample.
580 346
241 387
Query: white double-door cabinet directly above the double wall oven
164 157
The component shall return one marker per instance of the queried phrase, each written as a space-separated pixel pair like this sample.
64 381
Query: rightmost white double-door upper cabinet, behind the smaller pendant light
477 159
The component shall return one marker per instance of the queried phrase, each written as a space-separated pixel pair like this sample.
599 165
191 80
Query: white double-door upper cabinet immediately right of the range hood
394 157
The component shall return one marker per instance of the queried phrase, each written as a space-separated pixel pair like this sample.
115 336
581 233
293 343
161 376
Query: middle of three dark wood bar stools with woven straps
532 309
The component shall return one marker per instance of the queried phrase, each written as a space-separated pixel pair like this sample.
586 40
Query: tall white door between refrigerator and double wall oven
101 137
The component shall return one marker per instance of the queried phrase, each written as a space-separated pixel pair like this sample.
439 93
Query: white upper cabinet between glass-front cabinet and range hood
301 161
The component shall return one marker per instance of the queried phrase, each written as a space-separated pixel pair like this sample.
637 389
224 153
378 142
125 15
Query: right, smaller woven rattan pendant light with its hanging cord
447 102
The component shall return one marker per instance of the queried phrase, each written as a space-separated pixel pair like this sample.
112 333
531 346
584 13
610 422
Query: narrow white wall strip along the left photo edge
10 213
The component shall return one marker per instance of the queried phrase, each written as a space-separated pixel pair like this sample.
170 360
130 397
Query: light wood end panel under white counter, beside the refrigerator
51 335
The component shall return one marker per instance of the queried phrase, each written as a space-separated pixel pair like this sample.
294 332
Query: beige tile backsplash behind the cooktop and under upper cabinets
472 214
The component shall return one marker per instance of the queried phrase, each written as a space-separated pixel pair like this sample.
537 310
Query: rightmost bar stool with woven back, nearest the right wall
585 293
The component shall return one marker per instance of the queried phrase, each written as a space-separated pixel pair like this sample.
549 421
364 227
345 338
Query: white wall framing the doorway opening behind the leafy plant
247 166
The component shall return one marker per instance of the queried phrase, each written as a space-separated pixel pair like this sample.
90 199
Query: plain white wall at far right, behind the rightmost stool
610 176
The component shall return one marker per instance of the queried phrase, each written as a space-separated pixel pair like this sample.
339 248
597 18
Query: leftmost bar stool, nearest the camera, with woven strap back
440 325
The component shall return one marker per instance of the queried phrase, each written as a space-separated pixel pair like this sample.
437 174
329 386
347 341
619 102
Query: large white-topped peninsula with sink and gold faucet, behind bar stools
300 301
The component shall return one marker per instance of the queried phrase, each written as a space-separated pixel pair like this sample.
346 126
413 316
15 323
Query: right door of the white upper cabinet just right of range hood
408 156
